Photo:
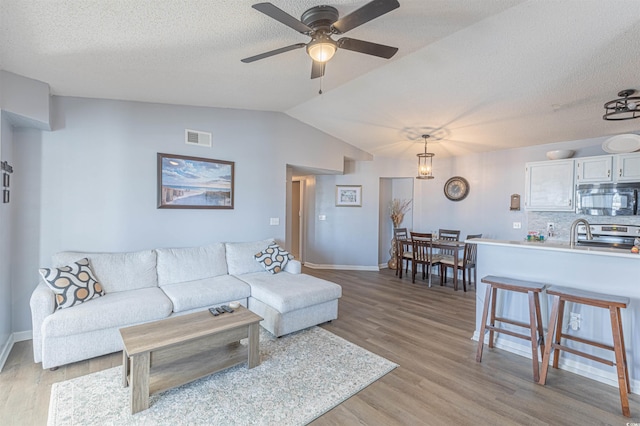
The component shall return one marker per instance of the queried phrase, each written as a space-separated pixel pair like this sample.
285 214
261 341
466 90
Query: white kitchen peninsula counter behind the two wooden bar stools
603 270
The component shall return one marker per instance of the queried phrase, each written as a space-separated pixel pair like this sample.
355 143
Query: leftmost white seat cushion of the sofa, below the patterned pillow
119 309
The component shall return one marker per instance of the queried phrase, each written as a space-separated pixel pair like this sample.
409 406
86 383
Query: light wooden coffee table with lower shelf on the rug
171 352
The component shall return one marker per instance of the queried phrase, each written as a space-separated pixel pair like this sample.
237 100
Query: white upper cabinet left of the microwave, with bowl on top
550 185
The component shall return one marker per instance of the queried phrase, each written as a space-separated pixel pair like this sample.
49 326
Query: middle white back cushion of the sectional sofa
176 265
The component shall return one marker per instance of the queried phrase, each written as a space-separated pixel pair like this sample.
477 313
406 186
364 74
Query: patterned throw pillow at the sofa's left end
72 284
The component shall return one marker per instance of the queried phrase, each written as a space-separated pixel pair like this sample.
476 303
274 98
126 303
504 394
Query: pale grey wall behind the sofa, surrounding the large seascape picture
90 184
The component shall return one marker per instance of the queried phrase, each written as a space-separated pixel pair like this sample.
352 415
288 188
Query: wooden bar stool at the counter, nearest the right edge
613 304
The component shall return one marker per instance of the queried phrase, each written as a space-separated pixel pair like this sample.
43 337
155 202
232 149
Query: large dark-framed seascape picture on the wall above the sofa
194 183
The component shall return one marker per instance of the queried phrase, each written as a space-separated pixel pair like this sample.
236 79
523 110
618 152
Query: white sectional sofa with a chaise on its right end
154 284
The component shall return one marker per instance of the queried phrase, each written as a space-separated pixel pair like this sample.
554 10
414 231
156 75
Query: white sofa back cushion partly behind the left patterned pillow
116 271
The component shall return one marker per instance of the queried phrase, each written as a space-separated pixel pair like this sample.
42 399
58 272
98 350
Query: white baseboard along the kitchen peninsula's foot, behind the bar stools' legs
573 366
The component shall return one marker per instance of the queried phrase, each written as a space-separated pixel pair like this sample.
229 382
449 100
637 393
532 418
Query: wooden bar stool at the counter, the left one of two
536 335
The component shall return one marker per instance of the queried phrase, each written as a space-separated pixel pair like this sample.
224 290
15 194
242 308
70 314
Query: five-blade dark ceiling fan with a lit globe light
319 23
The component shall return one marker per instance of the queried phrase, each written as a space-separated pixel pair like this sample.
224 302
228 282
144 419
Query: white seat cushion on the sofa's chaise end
287 292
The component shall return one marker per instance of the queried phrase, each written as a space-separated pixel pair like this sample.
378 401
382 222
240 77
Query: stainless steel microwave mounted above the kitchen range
609 199
